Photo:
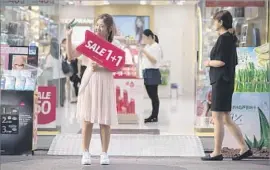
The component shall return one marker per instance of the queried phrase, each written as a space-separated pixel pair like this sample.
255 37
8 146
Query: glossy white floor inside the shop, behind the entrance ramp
176 117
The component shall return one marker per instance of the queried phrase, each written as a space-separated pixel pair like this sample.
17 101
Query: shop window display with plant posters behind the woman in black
251 103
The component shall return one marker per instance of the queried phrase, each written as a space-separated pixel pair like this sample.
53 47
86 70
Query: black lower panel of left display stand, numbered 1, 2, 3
17 109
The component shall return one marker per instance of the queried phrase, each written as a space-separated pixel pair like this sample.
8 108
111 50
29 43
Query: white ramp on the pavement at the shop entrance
131 145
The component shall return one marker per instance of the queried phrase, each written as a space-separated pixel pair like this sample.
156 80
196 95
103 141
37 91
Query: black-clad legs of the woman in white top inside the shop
152 91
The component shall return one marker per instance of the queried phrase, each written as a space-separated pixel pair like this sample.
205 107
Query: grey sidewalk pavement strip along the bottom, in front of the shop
42 162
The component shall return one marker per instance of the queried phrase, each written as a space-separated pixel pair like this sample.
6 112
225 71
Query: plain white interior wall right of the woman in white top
176 27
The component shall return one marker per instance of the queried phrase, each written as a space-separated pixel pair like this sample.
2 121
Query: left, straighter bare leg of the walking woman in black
218 132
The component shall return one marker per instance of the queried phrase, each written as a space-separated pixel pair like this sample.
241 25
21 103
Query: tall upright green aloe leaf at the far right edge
264 127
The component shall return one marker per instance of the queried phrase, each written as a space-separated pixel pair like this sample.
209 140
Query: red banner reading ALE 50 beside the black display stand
46 108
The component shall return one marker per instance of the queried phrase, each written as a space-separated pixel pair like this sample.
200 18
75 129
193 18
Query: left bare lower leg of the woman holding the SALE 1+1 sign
86 134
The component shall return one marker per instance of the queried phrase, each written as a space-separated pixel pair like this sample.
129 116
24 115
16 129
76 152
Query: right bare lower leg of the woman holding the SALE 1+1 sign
105 135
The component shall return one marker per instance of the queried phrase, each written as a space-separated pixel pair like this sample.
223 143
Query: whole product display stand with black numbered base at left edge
18 116
